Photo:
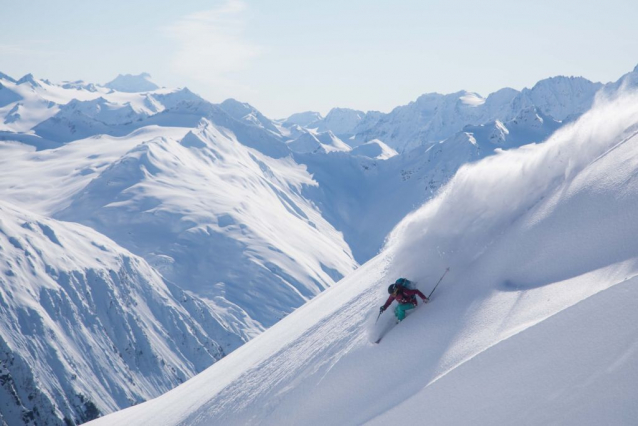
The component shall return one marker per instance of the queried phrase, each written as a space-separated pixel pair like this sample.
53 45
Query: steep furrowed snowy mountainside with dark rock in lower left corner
87 327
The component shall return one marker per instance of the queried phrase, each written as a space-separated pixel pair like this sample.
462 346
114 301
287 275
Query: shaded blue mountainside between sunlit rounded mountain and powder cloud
366 192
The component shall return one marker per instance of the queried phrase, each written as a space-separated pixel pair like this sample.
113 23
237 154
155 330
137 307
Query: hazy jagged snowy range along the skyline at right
434 117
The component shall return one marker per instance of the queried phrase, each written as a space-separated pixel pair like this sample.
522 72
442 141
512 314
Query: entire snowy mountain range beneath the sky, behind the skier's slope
210 222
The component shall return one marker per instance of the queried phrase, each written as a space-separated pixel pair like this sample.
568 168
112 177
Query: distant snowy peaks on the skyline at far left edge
66 112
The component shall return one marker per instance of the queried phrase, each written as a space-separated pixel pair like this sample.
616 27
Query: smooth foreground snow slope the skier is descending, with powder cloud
535 324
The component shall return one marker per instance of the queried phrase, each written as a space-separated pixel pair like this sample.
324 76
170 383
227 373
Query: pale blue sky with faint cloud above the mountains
286 56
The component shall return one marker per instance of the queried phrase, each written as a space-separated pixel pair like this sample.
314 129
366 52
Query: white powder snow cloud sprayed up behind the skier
485 198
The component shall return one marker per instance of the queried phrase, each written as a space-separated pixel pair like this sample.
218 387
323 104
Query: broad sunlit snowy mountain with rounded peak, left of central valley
220 219
